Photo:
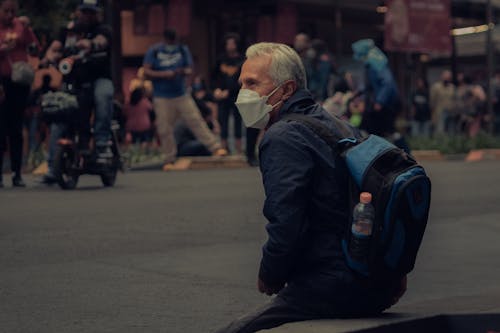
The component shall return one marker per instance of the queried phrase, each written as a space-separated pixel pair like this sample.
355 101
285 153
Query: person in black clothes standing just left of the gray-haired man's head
227 71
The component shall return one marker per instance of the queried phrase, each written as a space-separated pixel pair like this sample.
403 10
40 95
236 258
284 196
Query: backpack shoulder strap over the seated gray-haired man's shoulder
338 142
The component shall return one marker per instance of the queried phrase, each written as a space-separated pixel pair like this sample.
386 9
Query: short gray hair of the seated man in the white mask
285 62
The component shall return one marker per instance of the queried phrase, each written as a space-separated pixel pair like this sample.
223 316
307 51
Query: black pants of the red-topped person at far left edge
11 122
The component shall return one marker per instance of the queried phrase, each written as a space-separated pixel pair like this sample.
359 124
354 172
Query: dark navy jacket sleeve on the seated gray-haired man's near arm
287 168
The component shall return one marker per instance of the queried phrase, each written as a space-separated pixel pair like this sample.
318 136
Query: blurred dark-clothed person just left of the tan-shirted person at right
420 110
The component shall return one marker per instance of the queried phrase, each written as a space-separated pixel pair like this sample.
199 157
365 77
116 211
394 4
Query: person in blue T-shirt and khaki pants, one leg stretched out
167 65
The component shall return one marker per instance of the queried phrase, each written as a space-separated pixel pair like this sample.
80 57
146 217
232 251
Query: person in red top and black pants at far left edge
16 77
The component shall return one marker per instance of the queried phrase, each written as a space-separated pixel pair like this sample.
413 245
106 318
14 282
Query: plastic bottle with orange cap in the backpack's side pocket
361 228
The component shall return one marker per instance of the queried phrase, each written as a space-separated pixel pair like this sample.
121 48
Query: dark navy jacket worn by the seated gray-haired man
306 206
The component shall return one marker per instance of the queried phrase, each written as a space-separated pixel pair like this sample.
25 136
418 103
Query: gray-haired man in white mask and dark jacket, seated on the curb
306 202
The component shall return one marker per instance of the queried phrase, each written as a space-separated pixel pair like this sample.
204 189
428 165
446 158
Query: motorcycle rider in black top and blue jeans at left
86 35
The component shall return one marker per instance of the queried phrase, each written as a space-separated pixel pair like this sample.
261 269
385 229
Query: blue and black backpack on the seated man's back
401 195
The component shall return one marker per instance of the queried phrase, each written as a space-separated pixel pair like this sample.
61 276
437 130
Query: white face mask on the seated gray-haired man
253 108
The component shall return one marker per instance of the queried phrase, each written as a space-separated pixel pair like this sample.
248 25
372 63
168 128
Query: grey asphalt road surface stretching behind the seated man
179 252
